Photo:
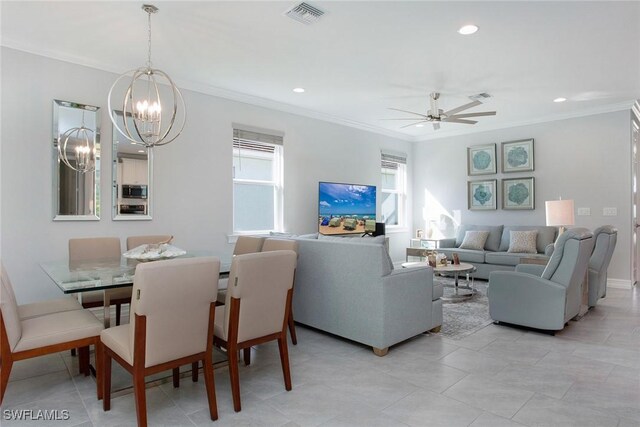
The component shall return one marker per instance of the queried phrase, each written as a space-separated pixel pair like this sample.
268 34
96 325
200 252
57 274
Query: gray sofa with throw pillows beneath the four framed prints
495 257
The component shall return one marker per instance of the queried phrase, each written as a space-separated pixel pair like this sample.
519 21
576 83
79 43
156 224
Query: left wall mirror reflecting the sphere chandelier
76 195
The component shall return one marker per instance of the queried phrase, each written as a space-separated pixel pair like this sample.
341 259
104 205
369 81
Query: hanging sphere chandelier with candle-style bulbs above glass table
145 122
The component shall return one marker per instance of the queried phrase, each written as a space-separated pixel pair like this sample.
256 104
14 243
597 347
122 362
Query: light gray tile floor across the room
587 375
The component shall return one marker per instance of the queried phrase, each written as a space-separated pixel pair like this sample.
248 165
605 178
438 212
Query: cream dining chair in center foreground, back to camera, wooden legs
171 324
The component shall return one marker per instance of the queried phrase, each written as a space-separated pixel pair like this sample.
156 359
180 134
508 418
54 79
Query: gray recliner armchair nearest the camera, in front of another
549 300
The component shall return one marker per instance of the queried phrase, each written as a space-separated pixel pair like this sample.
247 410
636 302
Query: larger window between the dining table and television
257 182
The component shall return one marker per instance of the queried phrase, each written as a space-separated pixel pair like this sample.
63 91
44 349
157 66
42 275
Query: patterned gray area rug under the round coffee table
461 319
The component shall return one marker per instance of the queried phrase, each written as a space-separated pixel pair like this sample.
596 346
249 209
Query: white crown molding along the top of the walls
291 109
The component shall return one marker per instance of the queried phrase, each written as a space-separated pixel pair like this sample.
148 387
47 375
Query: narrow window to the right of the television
394 190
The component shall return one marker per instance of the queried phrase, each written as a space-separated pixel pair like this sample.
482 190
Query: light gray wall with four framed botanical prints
586 159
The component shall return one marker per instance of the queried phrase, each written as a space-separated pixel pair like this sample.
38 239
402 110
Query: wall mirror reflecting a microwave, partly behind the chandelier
132 177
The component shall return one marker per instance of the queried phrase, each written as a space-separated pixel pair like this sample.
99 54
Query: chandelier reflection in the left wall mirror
81 142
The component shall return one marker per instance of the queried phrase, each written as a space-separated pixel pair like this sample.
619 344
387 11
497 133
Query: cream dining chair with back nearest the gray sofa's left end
256 309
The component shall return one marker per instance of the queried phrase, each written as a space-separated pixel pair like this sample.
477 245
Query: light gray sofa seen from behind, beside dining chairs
348 287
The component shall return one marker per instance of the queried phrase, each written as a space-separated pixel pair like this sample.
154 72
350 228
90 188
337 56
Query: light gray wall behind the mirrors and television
192 176
